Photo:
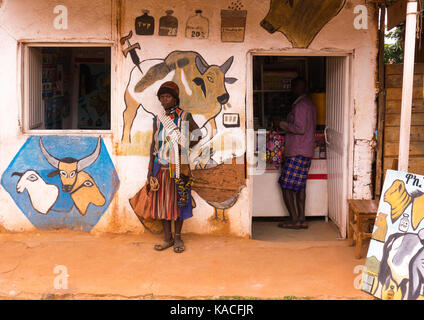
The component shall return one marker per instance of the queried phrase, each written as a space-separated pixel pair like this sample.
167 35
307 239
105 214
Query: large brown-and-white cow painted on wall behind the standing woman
202 87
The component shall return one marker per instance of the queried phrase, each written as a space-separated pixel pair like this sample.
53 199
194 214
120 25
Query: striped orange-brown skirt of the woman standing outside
164 204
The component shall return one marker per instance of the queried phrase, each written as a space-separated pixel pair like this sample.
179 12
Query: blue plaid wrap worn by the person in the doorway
294 173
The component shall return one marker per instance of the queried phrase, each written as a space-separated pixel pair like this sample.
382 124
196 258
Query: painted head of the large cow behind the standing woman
212 80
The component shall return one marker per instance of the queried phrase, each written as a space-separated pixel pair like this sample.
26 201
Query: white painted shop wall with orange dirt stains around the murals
94 21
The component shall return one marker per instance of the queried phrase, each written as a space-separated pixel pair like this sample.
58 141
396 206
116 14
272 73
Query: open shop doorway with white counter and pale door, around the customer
327 185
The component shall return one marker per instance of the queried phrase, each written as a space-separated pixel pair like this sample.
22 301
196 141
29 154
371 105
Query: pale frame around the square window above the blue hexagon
24 110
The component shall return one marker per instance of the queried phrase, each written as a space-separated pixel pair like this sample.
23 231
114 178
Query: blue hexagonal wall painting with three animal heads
53 208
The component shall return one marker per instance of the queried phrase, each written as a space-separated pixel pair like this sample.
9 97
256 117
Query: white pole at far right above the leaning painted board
407 86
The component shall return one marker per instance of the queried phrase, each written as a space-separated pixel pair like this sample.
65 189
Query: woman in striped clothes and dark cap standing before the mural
172 201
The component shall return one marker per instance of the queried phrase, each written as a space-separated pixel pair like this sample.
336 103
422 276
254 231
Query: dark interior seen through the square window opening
76 87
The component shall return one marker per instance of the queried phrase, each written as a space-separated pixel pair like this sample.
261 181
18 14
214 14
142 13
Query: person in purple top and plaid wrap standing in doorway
299 140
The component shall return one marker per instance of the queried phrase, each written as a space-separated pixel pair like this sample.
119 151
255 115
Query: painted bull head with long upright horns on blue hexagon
68 168
